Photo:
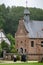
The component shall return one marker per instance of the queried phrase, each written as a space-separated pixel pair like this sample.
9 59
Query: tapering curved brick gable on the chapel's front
21 28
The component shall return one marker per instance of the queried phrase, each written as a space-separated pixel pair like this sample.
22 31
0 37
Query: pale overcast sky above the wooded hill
31 3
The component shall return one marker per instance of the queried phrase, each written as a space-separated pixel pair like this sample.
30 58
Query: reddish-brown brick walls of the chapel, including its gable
22 40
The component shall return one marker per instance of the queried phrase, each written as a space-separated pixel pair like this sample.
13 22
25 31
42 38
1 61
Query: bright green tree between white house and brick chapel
12 45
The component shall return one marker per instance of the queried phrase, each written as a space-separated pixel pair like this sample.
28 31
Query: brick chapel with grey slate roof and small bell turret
29 37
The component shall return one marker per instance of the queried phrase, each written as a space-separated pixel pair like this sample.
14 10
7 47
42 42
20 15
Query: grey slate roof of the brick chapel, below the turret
34 28
